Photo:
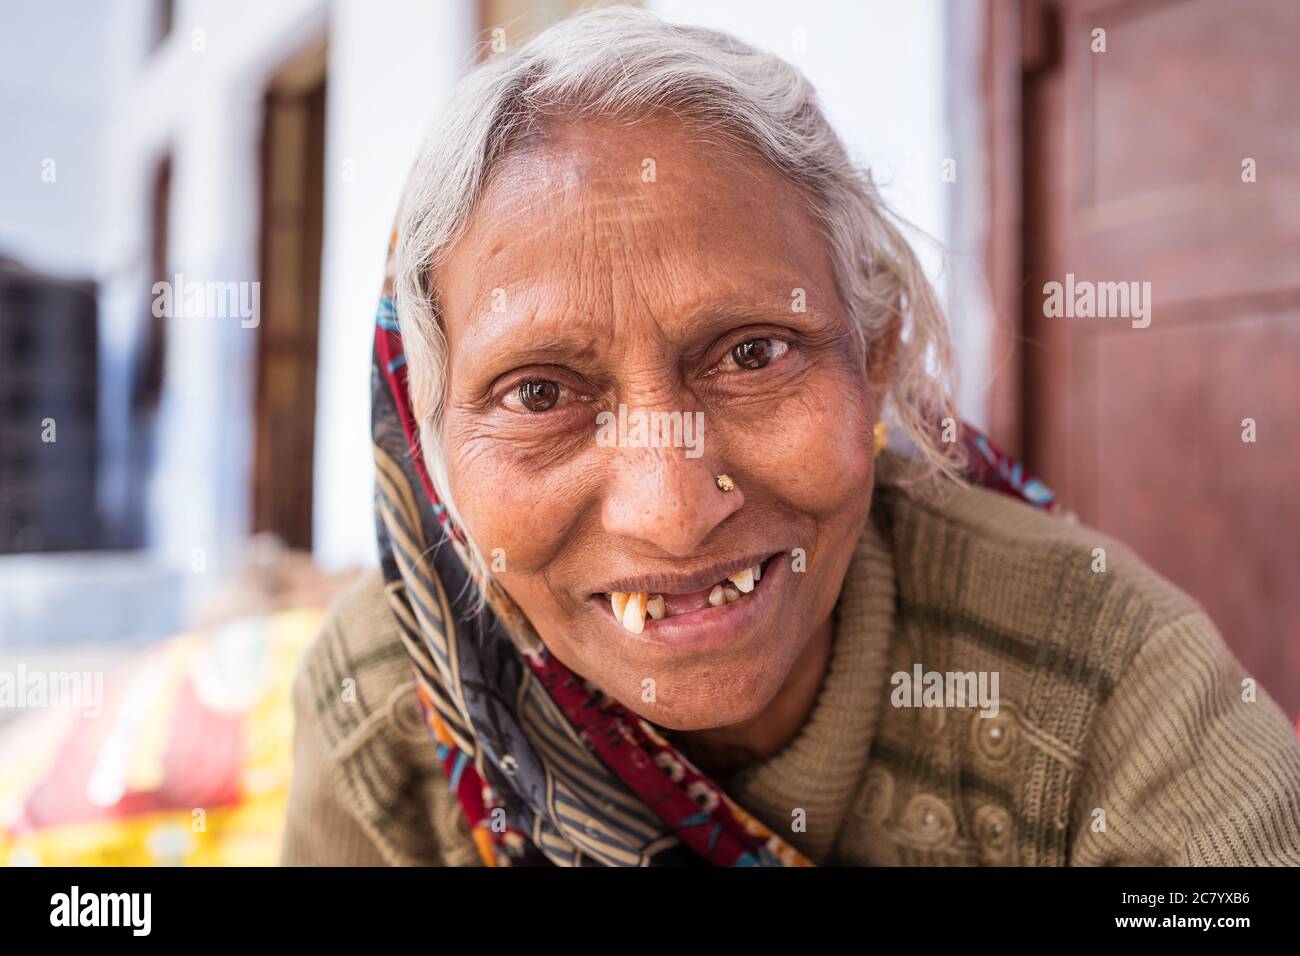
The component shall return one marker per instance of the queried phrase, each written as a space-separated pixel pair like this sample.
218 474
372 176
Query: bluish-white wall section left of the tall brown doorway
198 96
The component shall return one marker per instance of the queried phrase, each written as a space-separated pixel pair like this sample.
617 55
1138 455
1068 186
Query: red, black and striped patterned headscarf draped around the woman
547 768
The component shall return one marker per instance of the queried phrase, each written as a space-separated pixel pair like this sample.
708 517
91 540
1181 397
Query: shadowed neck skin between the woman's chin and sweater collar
727 750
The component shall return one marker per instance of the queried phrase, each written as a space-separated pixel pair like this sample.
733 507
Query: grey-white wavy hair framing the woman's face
629 63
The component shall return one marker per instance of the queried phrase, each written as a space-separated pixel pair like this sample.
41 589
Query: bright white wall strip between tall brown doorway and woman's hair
392 67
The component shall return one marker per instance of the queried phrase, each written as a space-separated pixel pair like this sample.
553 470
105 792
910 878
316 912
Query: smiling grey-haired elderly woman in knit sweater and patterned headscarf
651 591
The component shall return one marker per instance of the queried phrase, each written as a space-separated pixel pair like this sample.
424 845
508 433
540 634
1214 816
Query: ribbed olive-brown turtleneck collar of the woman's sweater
821 768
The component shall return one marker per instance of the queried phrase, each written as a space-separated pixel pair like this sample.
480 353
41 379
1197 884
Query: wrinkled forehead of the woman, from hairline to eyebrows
601 215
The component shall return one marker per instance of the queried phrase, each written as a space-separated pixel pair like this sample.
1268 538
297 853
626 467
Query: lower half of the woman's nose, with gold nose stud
662 499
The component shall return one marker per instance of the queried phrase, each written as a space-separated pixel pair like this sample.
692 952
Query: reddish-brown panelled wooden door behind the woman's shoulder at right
1138 165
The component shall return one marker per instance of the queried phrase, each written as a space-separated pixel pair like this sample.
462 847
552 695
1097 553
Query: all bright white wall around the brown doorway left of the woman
391 64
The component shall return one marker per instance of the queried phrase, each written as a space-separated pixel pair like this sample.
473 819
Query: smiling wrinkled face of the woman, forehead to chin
648 269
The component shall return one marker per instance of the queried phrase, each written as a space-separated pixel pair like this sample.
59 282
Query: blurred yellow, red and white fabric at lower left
187 764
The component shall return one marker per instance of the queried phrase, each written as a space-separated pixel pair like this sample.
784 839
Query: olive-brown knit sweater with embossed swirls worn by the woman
1125 730
